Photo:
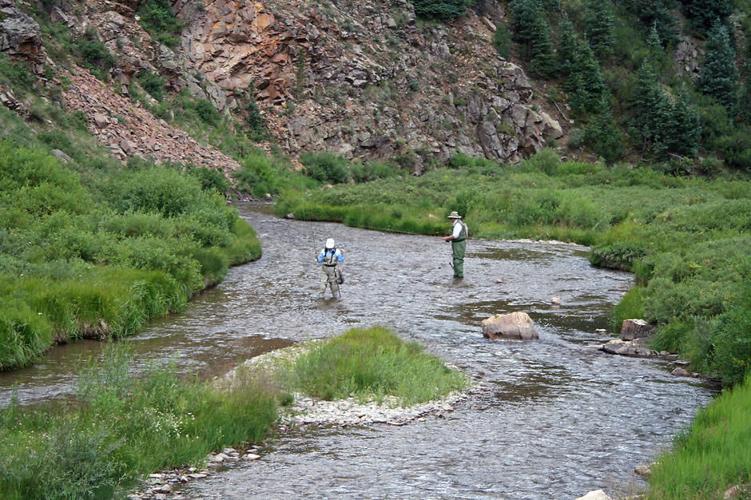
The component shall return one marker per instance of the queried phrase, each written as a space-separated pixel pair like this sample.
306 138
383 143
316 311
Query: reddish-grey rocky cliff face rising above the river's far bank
363 78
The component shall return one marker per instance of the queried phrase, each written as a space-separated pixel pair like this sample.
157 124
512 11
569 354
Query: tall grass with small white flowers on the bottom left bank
121 427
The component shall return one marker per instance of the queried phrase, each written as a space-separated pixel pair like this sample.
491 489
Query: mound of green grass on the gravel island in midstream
371 364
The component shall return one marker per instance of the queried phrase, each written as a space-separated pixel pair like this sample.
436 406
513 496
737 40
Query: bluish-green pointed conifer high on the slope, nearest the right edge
718 76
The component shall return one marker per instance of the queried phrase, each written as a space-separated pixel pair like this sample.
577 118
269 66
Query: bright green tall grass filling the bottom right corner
713 456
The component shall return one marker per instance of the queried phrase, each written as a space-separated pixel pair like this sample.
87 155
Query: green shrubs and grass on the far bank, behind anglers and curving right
686 239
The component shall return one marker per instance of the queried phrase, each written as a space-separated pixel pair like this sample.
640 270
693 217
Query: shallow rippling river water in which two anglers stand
561 418
